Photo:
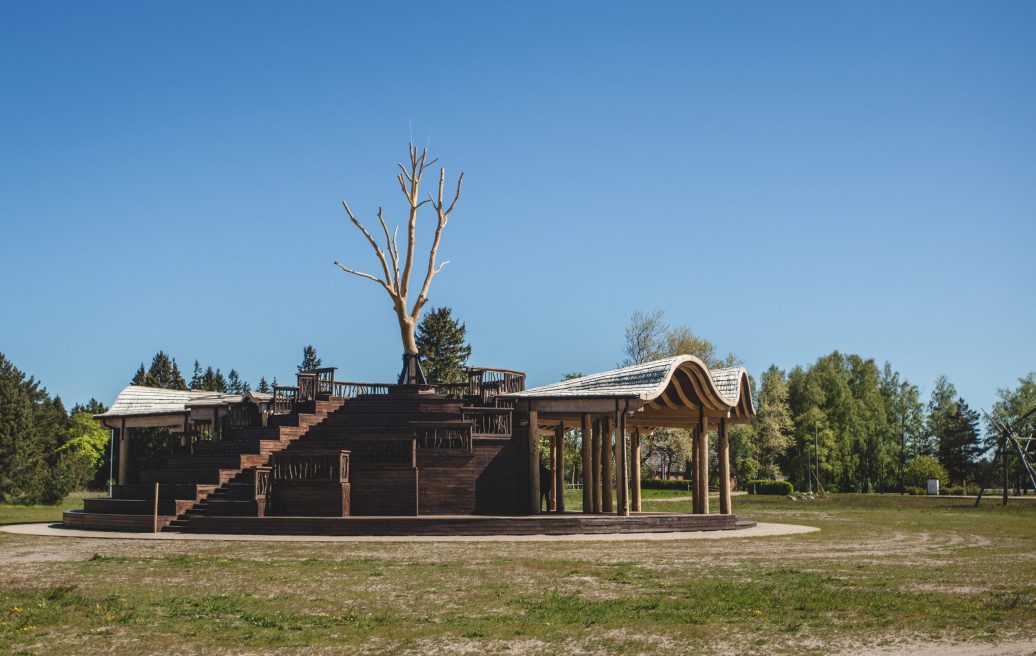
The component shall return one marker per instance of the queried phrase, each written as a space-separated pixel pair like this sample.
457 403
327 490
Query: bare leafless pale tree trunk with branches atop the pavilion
396 268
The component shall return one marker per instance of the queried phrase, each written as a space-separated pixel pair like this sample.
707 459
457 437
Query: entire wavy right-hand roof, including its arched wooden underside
673 384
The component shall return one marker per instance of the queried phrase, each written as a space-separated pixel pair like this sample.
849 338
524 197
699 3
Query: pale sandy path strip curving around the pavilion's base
759 531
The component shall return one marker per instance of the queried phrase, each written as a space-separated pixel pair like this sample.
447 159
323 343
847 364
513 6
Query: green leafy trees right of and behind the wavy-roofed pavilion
843 422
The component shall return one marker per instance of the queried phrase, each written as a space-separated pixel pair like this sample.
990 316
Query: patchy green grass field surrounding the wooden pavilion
885 575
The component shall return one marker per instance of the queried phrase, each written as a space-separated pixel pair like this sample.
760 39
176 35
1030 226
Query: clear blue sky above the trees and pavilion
787 179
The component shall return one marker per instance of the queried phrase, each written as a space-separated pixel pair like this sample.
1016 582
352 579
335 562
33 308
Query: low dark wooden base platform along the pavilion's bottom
565 524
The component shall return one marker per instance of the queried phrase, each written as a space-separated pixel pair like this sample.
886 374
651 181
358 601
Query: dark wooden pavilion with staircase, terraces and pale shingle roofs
348 459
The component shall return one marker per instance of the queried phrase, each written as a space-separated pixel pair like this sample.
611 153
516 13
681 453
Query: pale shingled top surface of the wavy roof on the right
645 382
